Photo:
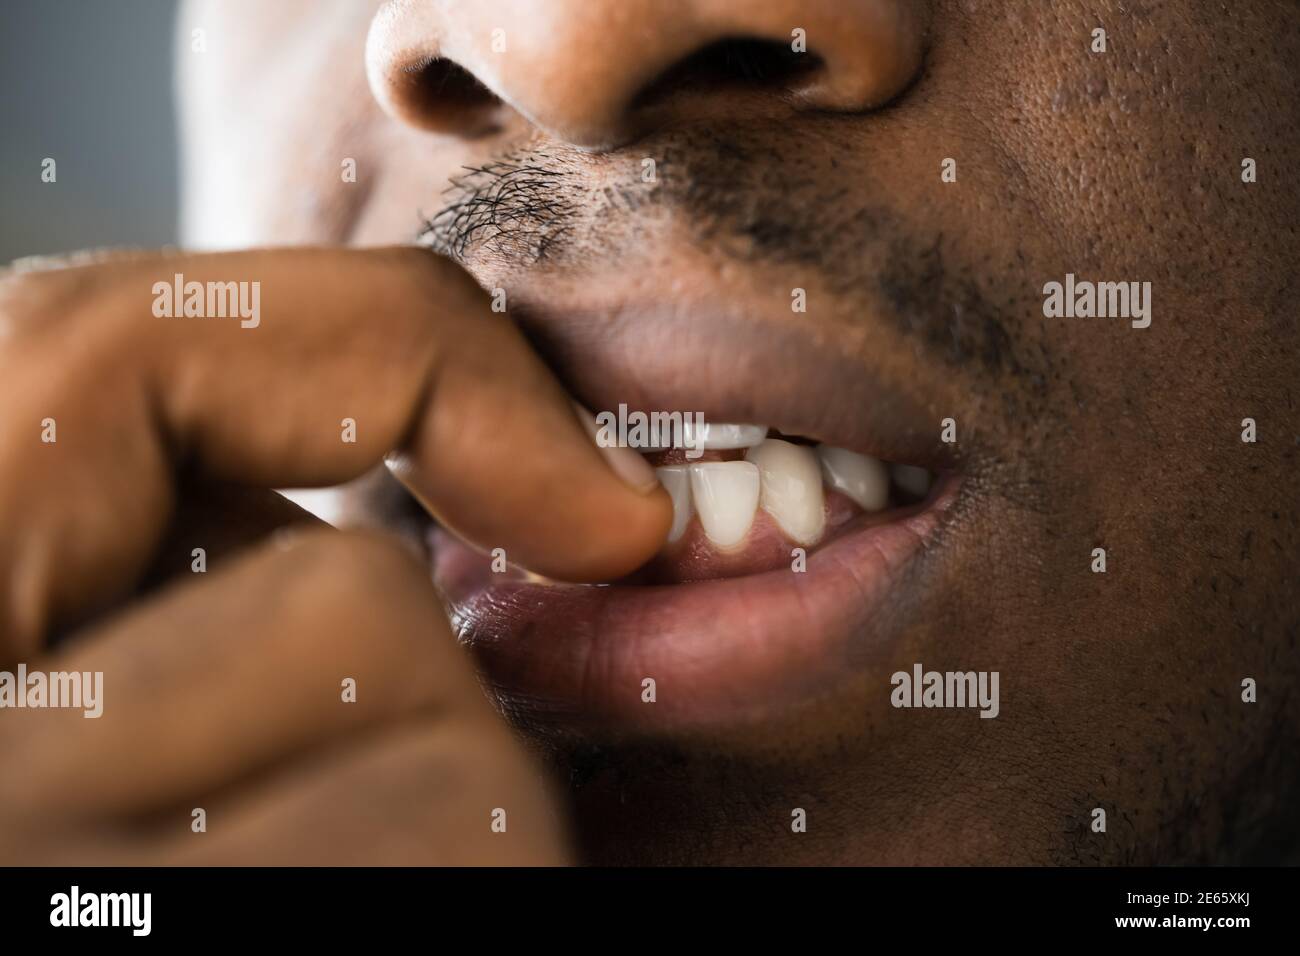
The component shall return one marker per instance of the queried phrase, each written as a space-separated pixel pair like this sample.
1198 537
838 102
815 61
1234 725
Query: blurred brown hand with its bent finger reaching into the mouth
227 693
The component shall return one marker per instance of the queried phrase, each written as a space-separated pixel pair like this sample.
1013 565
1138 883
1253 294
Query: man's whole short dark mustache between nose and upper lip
751 196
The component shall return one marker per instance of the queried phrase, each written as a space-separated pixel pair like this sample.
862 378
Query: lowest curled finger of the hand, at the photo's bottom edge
428 794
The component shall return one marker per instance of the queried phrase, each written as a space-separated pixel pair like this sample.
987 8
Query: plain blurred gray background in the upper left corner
88 84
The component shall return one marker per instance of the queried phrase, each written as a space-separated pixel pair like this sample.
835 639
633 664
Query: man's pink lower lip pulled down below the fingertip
720 652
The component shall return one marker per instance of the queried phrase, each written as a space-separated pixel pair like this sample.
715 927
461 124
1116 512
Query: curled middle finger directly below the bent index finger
281 652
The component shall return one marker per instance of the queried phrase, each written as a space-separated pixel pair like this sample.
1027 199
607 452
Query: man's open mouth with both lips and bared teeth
796 550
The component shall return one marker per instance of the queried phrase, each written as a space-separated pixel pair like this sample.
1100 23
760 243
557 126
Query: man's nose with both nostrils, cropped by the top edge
586 71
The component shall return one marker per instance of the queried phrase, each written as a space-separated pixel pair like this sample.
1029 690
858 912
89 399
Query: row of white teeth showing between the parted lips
785 479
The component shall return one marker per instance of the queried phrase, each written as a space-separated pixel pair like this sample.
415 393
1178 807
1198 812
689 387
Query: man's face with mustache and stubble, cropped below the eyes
852 245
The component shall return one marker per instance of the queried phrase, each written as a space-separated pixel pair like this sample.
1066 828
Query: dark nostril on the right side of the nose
734 63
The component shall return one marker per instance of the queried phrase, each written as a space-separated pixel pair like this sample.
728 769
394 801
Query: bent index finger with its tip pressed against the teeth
353 356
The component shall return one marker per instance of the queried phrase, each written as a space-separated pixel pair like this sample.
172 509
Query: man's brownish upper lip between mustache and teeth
740 369
